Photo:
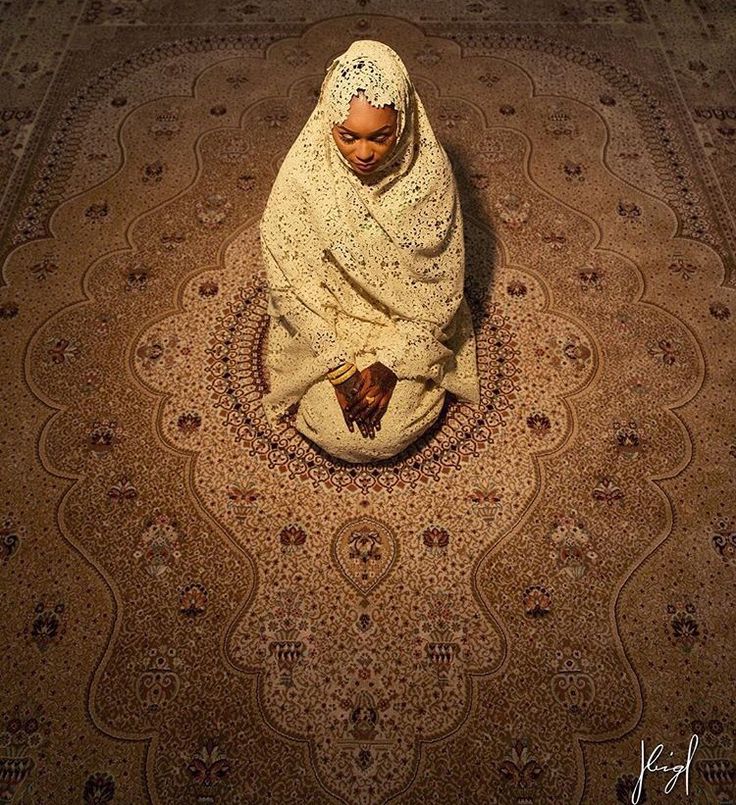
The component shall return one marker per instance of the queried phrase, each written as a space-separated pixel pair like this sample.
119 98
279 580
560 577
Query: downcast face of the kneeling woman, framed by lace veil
367 135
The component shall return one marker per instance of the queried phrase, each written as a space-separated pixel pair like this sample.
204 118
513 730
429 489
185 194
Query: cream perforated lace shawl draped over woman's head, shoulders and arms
371 264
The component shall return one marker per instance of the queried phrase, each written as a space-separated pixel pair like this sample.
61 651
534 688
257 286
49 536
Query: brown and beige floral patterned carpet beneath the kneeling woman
198 609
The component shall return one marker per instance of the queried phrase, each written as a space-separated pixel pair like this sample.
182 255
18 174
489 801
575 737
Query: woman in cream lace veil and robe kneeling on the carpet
362 241
